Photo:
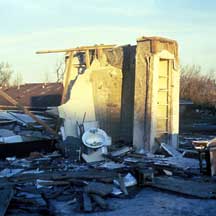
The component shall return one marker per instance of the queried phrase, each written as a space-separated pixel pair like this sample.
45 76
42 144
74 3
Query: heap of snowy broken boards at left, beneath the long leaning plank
21 134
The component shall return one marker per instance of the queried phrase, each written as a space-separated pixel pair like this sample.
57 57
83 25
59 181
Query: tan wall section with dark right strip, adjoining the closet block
113 87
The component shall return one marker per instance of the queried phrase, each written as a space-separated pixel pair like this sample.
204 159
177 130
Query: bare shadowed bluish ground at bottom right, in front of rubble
152 202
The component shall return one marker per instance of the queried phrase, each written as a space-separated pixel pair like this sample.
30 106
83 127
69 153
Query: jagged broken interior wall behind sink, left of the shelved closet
104 91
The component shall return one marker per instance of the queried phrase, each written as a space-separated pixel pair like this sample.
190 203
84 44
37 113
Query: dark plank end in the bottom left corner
6 195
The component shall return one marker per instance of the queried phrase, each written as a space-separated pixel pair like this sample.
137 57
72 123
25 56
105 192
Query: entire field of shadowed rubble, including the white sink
62 175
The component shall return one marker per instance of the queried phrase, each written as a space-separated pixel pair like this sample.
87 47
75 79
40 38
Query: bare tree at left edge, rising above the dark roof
5 74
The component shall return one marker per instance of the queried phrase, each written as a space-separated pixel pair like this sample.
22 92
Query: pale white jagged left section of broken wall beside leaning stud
79 104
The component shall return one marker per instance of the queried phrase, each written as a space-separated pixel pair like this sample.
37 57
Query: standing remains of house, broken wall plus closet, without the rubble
131 90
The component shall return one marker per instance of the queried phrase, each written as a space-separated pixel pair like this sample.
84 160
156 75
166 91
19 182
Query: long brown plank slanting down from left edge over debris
26 111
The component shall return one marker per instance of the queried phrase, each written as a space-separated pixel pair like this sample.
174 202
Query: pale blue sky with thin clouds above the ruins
31 25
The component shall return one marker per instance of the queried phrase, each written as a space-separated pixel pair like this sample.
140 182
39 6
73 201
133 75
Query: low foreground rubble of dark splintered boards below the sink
50 184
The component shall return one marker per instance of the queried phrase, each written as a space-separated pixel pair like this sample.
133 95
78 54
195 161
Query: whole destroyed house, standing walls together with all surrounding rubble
120 104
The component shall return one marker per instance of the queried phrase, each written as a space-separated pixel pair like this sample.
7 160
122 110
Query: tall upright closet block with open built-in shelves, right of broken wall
156 99
